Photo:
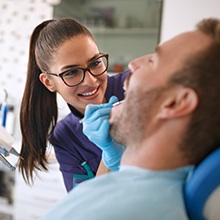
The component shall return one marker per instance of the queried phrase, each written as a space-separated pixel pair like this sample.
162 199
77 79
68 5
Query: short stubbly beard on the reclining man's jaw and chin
131 124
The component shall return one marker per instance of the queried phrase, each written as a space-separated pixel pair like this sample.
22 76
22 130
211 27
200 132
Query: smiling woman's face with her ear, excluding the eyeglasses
78 52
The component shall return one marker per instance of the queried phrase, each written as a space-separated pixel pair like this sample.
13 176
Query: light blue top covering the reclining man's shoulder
129 197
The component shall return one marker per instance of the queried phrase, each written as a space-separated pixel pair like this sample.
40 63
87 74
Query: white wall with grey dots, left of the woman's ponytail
17 21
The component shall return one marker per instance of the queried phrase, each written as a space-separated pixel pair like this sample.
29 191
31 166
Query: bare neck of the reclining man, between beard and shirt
158 152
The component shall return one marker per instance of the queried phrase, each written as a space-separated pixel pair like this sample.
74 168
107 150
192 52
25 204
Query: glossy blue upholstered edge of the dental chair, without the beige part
200 185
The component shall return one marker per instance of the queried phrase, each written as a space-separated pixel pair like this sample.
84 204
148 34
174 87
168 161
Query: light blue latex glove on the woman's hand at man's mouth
96 127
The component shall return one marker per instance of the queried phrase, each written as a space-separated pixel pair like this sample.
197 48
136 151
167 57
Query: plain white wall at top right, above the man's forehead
182 15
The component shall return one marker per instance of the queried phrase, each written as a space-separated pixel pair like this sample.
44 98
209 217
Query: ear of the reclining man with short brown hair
179 103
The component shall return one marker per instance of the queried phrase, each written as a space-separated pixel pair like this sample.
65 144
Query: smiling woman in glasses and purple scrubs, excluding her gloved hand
63 58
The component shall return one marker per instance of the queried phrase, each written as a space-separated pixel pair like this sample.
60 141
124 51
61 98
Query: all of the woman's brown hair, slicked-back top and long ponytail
38 112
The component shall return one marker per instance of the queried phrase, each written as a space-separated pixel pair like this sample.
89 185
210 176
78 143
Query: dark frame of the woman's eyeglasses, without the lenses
83 69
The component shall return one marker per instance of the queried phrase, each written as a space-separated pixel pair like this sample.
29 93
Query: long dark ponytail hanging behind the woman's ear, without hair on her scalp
38 115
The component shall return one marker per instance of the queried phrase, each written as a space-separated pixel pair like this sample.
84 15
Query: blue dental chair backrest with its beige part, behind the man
202 189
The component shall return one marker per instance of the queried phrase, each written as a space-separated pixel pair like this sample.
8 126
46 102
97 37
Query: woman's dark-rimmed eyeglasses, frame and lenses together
75 76
